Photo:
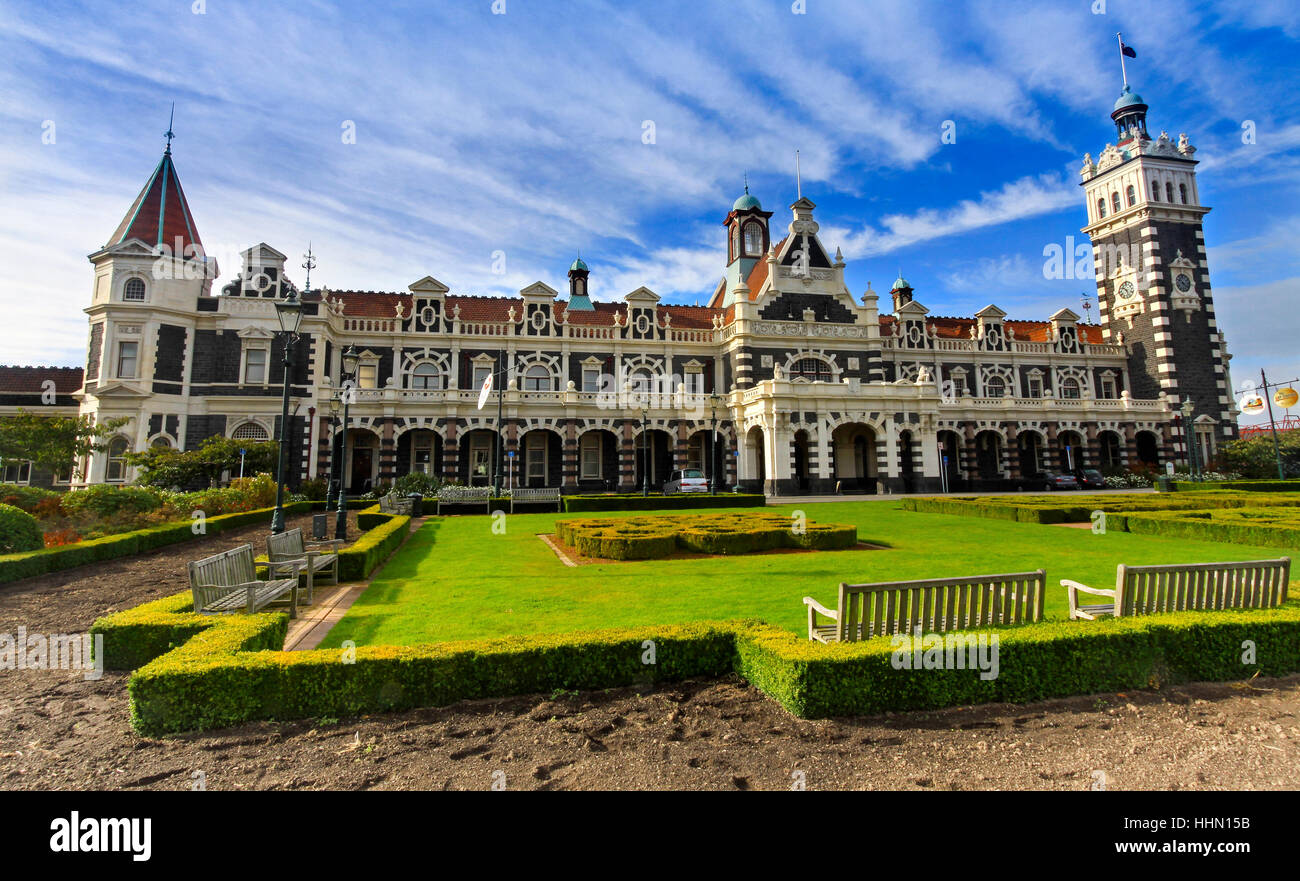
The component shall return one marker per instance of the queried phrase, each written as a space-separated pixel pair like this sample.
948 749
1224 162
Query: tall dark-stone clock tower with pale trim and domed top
1154 288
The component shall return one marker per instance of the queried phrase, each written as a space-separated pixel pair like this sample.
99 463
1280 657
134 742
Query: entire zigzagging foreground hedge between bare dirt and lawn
229 670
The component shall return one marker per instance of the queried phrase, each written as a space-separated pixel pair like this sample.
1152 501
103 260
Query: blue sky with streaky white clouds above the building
487 144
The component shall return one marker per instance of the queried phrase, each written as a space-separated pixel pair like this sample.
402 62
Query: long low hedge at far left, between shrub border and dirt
96 550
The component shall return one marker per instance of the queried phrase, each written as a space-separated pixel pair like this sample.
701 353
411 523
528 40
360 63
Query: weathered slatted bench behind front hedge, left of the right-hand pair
934 605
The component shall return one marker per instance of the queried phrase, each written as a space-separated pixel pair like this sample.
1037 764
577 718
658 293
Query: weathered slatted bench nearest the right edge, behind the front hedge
1186 587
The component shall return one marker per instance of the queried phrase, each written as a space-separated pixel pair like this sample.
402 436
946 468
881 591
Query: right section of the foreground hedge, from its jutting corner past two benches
1037 662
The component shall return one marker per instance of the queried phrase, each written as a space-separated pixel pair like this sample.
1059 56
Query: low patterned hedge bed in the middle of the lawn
645 539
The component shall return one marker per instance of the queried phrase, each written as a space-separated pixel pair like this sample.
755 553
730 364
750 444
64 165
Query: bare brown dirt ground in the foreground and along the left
59 731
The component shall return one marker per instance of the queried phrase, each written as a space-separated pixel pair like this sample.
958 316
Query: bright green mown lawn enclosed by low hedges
457 580
